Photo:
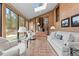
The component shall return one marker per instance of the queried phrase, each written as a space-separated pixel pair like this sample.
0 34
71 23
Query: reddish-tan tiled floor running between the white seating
40 47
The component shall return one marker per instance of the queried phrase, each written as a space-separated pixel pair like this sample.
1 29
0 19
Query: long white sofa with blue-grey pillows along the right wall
61 43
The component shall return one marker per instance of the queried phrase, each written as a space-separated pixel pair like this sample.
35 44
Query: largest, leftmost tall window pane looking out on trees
11 25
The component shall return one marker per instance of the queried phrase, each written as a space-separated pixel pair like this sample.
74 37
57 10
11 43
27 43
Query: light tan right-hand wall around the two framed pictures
67 10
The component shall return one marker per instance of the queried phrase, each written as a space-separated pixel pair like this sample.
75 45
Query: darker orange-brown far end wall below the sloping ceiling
50 16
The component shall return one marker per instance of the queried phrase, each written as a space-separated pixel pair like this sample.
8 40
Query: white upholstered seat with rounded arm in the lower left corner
12 48
